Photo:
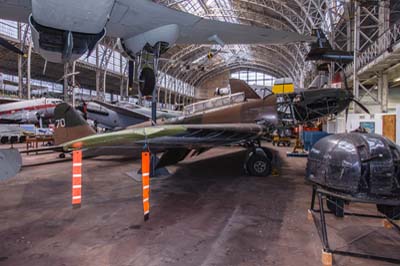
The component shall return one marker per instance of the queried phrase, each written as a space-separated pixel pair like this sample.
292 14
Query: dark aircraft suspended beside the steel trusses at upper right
322 50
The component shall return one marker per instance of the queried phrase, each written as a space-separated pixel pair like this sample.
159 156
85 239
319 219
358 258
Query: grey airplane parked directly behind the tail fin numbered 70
119 115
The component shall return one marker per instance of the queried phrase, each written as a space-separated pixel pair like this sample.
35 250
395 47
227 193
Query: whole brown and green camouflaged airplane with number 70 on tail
239 123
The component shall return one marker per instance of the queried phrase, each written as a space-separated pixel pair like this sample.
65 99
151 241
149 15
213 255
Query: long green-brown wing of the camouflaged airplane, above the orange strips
164 137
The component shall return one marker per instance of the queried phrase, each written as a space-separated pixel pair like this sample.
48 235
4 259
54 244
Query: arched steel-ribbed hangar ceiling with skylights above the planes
190 64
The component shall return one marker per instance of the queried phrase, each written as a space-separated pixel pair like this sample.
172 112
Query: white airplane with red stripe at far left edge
29 111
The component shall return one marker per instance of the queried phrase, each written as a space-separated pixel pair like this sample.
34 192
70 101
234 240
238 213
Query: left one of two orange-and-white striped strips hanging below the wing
76 178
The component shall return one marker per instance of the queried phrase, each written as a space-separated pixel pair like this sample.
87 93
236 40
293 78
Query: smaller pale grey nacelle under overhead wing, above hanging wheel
167 35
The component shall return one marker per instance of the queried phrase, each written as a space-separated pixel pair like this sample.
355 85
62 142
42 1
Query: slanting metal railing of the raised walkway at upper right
385 41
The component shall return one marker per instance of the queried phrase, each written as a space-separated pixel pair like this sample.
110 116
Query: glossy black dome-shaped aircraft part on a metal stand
364 167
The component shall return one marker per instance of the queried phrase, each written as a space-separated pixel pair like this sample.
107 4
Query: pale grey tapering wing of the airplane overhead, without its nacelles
130 18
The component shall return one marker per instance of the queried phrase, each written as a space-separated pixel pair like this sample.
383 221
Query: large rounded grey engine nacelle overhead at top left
63 31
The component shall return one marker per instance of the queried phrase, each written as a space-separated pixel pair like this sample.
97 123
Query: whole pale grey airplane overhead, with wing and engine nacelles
64 30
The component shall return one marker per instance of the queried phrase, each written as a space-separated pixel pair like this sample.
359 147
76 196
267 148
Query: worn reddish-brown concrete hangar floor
206 213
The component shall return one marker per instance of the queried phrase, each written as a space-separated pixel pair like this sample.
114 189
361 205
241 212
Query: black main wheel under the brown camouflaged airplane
258 161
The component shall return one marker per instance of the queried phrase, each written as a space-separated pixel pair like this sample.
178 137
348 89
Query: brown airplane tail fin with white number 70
69 124
